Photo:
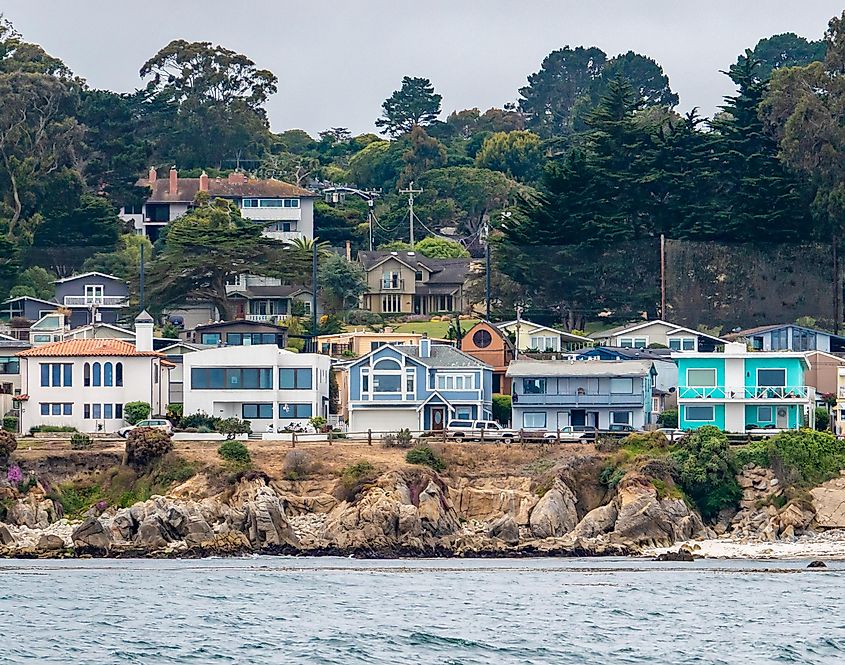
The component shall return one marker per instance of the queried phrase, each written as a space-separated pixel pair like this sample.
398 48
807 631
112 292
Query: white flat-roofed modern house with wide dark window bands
268 386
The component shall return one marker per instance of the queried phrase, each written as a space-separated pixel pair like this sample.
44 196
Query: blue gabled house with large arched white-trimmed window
418 387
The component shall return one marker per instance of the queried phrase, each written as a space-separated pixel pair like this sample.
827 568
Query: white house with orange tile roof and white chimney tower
85 383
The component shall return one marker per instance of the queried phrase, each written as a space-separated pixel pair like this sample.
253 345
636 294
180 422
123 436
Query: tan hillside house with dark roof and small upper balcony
409 283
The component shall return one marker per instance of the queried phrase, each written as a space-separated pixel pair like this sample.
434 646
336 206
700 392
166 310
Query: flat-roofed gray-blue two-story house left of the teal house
551 394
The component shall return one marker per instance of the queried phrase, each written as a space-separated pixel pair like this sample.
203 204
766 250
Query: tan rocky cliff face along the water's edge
559 507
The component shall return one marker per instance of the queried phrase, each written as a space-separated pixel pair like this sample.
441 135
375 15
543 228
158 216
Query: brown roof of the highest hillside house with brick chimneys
188 188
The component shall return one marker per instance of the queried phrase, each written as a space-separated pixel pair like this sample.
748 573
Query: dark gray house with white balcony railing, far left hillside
92 297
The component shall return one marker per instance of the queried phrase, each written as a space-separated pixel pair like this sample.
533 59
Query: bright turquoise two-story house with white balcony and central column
738 390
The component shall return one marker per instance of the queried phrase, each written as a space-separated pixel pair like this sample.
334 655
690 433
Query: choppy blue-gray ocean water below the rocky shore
290 610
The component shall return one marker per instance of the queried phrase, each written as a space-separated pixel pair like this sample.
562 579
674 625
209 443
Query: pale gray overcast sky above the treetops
337 60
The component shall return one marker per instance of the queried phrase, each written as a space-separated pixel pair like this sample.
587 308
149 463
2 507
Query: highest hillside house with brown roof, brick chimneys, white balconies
285 210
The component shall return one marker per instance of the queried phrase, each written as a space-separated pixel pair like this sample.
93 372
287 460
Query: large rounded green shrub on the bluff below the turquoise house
706 470
